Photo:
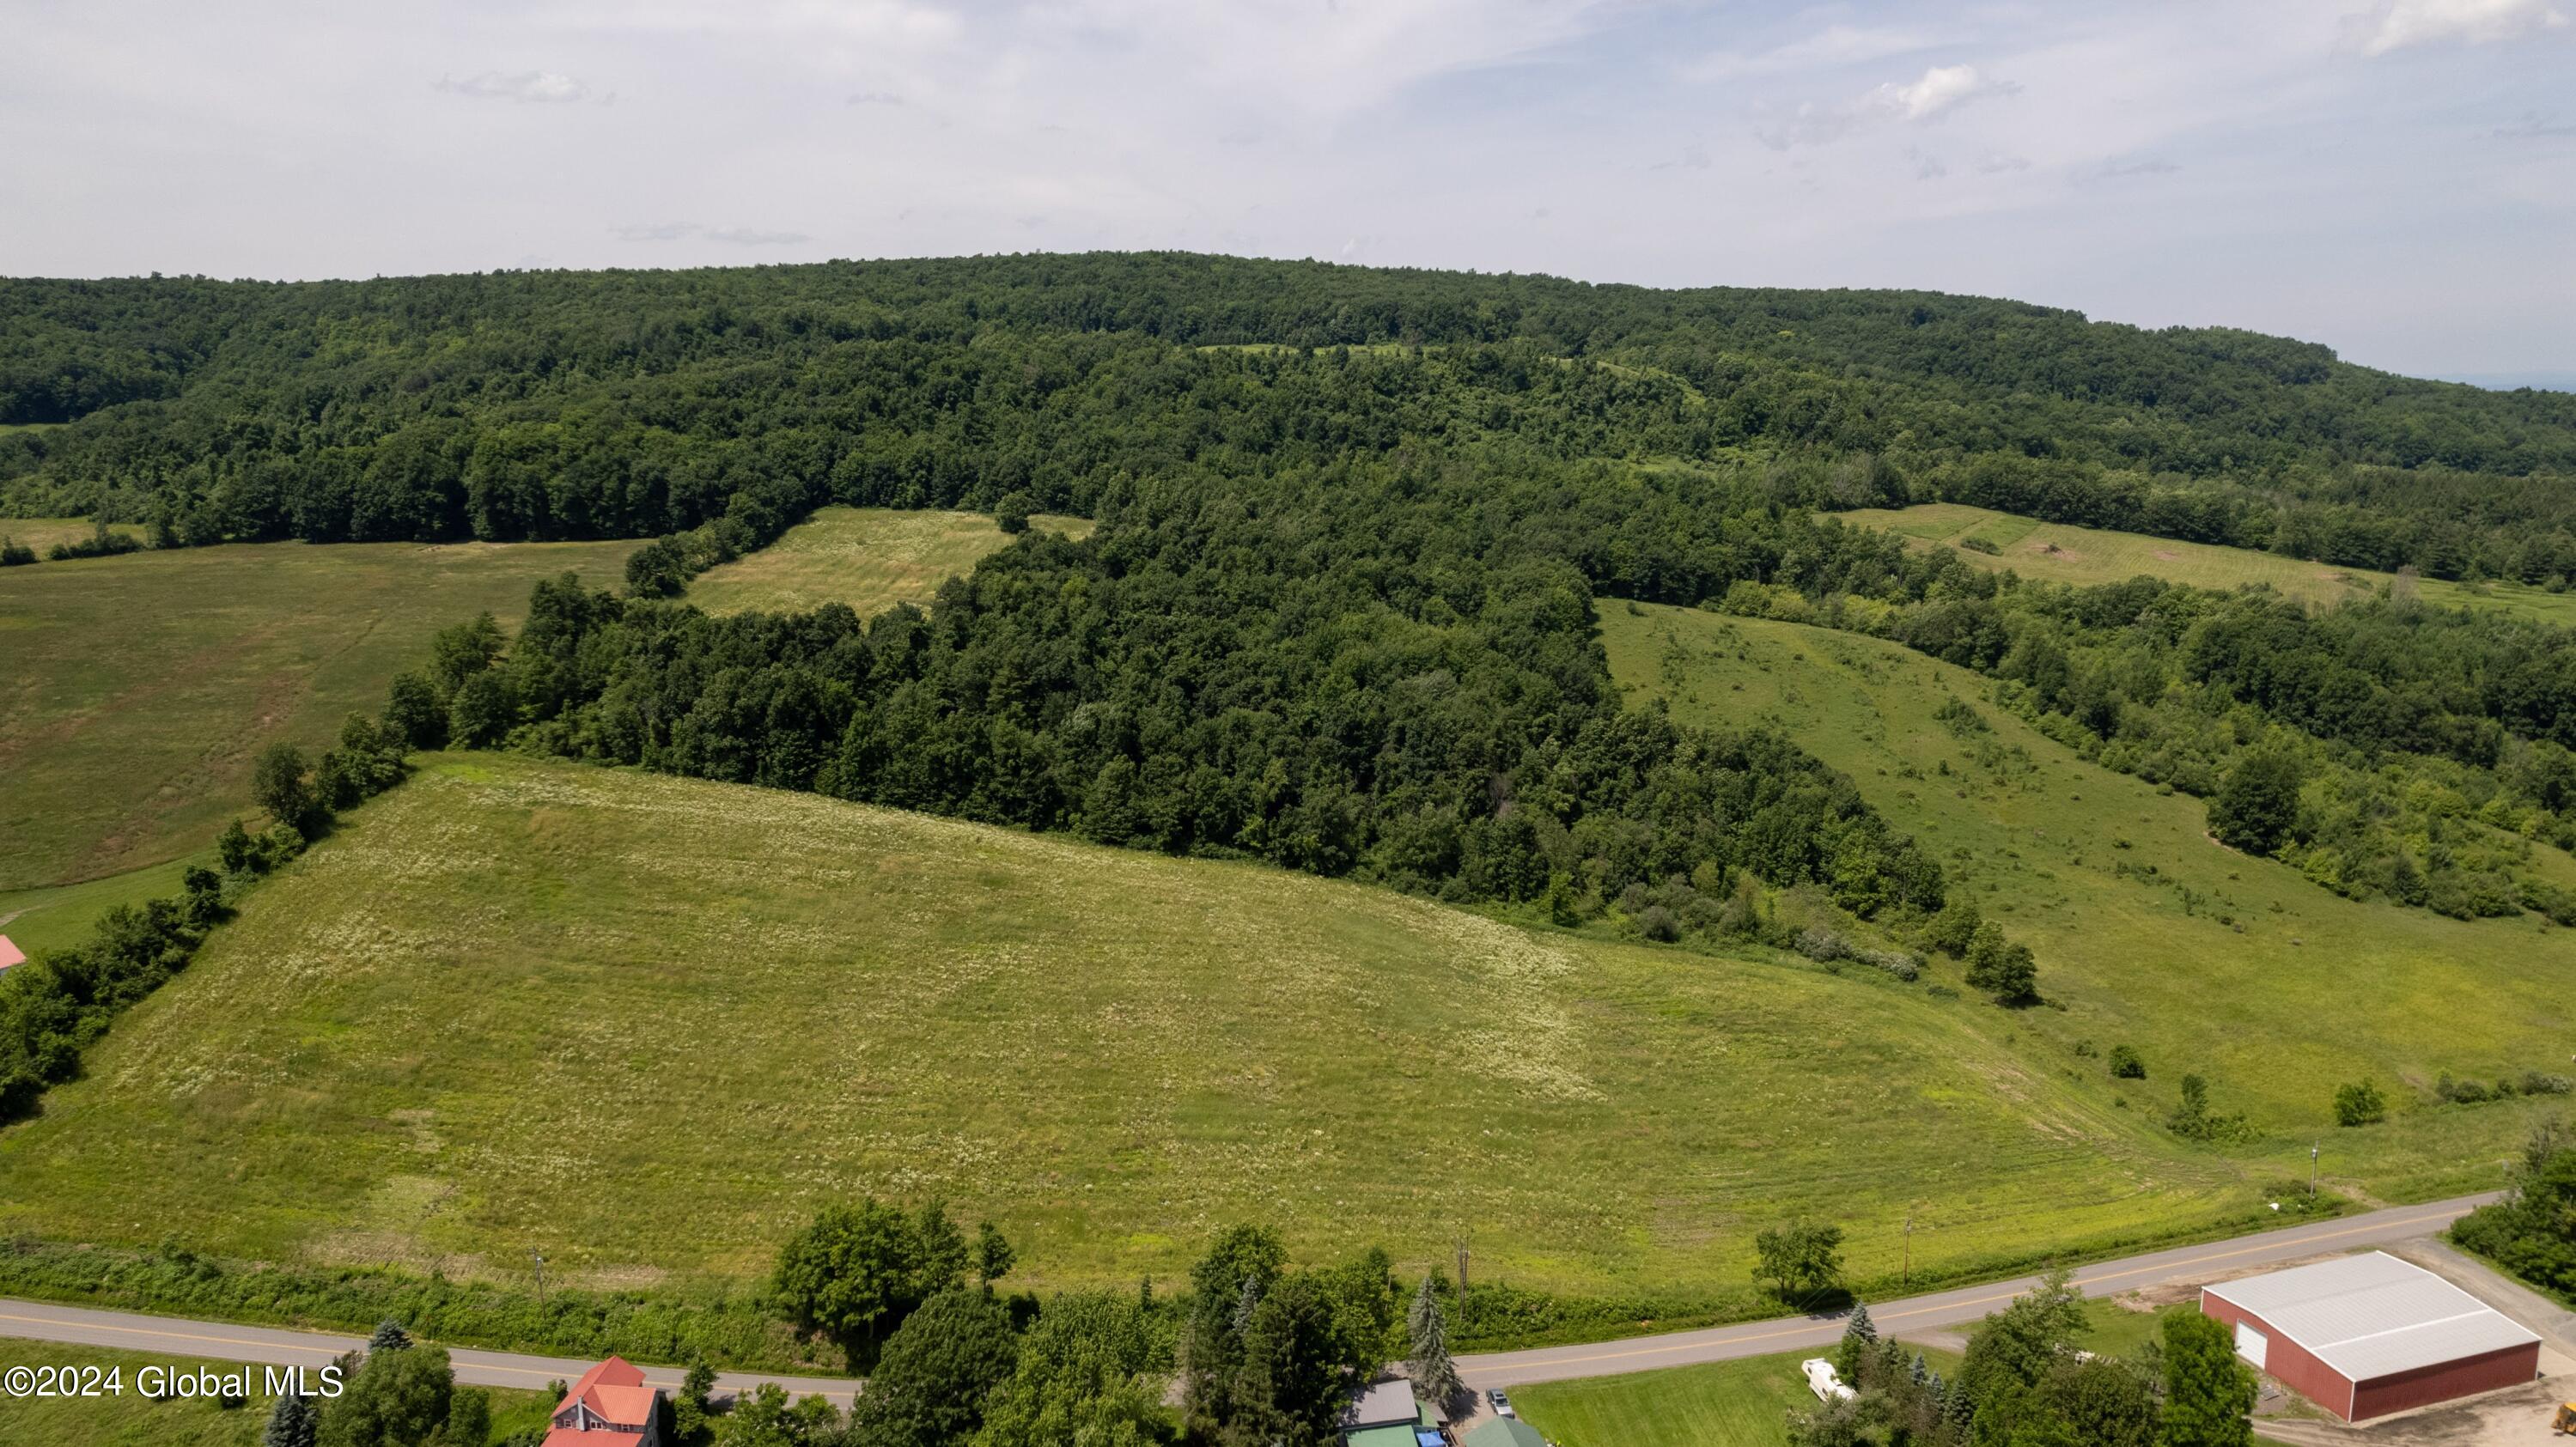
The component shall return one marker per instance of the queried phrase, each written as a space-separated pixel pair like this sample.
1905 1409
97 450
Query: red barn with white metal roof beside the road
2374 1335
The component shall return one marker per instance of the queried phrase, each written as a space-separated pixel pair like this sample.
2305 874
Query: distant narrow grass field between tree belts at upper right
2062 552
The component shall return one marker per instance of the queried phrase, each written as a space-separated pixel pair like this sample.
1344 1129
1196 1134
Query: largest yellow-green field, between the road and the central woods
648 1026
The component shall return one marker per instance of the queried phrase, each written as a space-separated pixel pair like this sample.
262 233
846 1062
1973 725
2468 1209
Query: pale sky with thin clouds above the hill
2394 179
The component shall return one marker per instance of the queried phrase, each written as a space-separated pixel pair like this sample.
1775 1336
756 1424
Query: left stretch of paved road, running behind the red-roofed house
225 1343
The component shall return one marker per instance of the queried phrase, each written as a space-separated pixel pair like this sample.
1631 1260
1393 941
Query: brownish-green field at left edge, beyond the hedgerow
140 689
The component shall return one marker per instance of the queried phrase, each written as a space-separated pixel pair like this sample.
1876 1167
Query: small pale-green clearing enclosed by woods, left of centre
867 557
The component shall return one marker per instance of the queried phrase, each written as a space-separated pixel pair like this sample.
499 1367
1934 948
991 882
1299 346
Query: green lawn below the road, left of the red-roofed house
135 1420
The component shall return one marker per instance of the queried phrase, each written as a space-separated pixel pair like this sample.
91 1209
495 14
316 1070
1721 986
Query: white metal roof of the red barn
2374 1314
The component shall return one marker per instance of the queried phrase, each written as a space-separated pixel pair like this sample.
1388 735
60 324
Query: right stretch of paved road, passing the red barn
1959 1307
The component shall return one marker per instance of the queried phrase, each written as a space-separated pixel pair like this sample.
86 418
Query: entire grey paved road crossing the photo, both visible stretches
228 1343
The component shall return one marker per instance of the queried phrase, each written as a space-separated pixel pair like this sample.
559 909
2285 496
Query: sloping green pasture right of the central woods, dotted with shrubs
2147 931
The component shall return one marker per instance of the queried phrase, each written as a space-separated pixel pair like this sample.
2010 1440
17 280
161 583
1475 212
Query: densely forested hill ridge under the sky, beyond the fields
643 403
